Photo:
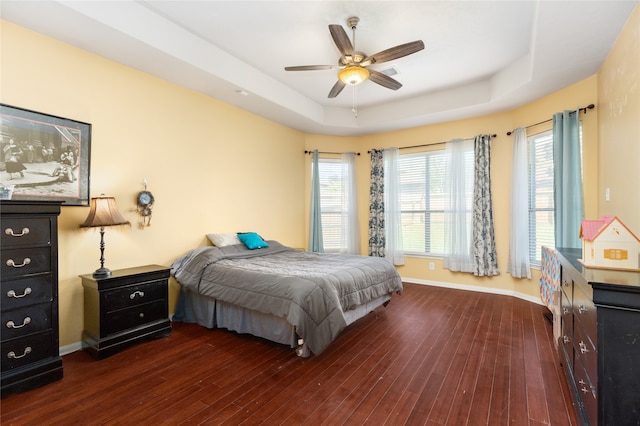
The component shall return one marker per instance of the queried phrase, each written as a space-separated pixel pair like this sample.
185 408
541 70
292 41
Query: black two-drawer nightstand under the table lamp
129 306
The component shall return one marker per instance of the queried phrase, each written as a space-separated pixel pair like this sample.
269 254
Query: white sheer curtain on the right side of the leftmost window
352 230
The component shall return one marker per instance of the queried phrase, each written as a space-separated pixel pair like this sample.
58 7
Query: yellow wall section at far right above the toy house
619 117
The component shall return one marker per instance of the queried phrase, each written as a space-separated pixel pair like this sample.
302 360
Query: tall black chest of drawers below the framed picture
29 297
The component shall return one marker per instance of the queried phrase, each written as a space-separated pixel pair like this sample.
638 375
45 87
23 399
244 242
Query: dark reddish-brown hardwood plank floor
433 356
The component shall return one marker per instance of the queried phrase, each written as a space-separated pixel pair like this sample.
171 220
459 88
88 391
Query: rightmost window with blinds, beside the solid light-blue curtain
541 204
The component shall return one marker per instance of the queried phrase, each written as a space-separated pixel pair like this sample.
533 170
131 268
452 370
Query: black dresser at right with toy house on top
600 341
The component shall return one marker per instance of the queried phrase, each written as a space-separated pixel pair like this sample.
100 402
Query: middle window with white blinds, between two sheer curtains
423 198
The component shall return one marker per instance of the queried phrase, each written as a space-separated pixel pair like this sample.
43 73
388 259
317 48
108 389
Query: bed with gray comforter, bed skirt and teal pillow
297 298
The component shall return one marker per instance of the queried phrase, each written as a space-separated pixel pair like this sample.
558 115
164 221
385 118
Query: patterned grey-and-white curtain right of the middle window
485 258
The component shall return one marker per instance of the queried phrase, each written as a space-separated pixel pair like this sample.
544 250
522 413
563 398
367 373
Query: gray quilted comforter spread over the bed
310 290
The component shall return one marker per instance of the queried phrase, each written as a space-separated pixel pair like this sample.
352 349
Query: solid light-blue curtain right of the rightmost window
567 179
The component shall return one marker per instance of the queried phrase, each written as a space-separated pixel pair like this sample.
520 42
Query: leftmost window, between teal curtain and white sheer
334 204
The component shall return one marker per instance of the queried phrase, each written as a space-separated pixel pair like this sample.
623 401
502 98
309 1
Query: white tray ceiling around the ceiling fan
480 57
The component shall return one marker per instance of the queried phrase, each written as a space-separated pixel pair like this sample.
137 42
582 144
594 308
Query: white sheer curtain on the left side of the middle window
394 250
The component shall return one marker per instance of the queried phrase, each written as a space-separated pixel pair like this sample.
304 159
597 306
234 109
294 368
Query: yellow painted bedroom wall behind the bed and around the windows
215 168
